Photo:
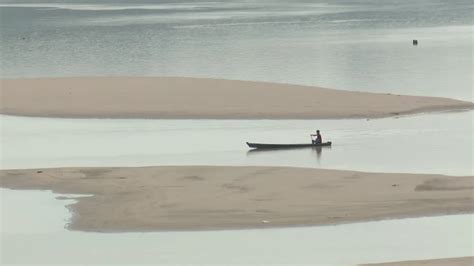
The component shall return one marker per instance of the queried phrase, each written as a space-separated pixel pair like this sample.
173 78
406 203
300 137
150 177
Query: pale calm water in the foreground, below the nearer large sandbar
33 223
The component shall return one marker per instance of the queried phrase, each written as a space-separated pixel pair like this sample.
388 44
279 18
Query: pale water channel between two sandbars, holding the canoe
436 143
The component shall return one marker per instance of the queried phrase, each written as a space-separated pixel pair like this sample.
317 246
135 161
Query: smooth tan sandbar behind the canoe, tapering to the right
201 98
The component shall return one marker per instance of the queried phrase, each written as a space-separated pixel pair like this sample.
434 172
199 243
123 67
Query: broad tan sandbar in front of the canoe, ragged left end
212 197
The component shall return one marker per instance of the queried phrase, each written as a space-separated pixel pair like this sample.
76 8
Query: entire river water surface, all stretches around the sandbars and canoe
353 45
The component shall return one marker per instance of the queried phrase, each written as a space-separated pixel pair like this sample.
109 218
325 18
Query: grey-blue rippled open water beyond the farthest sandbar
353 45
